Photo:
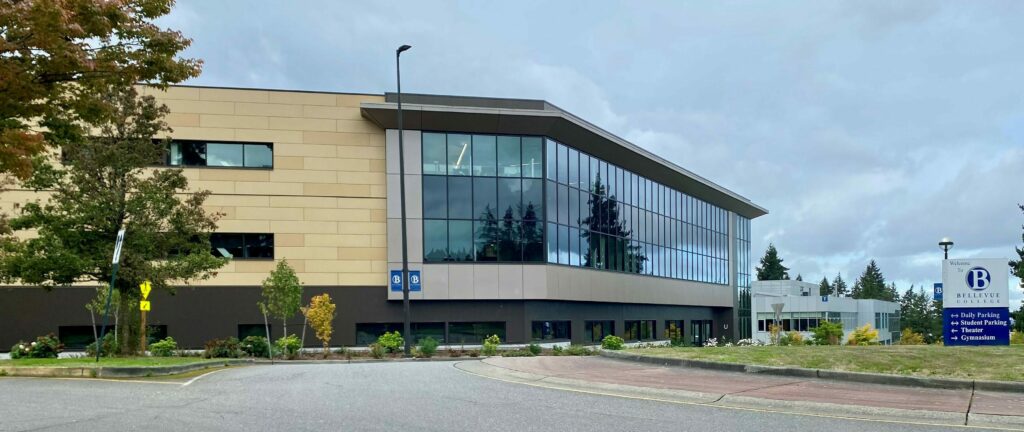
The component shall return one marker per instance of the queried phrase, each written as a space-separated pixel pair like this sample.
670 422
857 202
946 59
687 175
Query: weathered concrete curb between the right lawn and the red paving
854 377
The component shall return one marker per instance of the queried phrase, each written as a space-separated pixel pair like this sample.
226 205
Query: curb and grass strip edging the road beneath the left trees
116 372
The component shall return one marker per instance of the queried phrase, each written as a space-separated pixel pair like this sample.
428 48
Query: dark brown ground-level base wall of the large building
194 316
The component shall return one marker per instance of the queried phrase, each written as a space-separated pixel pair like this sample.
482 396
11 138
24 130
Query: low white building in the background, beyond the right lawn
803 310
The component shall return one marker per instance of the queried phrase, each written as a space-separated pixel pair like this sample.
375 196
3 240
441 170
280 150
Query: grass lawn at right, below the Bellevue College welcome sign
1001 364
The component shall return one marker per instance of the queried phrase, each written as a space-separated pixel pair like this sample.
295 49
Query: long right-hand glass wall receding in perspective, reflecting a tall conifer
603 217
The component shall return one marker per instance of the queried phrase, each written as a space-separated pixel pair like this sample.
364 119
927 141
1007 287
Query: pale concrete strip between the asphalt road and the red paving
734 402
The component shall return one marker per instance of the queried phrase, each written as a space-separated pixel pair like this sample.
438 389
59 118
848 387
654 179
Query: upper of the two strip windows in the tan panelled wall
220 155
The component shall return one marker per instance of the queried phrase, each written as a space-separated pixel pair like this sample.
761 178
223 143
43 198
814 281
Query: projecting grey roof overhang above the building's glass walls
539 118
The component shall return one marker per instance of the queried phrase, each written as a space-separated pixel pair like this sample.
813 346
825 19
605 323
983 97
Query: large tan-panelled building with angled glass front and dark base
525 221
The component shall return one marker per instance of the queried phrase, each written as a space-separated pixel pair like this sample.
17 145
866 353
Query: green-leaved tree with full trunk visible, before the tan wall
105 184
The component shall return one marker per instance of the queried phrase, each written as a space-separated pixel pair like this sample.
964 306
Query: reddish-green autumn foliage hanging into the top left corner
60 58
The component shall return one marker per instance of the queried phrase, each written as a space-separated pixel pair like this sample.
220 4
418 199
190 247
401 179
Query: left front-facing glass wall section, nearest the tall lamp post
483 198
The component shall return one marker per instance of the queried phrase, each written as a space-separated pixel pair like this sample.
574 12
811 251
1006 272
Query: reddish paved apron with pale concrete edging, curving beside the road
798 396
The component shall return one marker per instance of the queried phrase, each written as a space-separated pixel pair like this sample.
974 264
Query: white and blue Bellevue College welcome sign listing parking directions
975 297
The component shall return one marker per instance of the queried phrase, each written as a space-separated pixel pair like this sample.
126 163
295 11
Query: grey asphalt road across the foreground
407 397
